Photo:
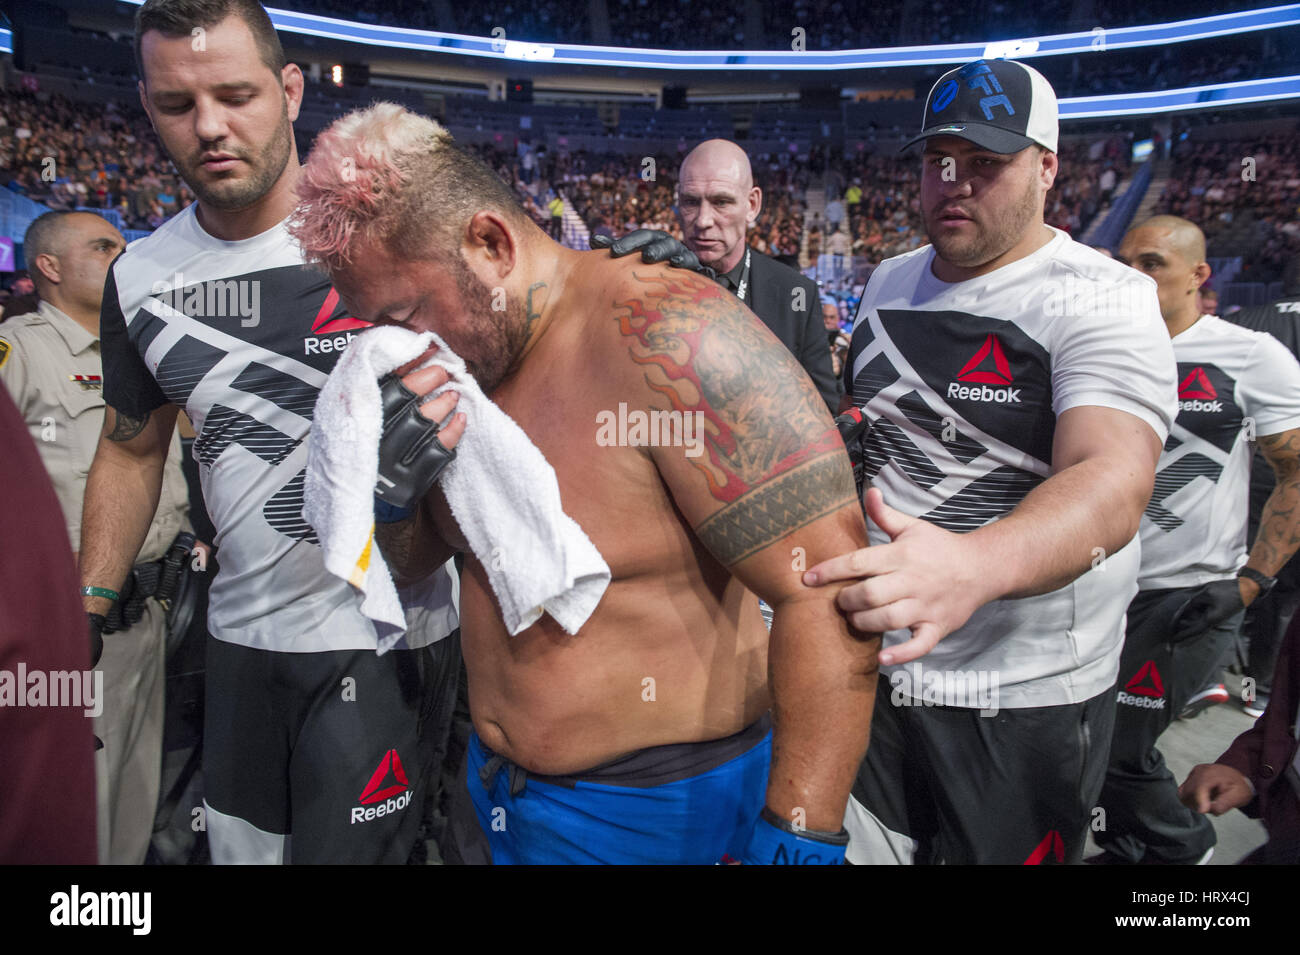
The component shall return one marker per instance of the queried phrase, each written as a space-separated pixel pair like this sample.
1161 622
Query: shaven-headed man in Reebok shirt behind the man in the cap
1234 387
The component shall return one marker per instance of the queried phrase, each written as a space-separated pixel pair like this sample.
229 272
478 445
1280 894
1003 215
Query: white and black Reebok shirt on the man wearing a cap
964 384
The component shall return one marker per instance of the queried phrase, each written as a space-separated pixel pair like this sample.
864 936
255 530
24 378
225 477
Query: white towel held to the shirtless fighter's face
501 489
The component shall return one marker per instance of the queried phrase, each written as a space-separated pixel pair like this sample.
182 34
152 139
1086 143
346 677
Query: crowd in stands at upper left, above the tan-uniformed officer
71 155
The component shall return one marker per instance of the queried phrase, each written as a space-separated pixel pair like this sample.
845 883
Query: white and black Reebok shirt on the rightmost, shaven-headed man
1234 385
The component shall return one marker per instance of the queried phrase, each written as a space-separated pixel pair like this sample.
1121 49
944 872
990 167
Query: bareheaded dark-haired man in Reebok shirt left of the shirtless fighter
317 749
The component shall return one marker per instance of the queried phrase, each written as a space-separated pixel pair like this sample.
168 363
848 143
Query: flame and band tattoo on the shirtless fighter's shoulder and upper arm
773 458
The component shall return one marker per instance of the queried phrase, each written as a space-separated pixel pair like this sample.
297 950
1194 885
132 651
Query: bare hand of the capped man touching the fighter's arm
926 580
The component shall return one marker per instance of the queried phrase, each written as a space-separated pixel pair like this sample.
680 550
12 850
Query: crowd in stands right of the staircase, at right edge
1246 197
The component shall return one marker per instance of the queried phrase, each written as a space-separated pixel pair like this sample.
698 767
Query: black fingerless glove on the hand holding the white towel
411 457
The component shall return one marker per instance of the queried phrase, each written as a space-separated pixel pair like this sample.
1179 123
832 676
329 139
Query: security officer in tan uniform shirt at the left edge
50 362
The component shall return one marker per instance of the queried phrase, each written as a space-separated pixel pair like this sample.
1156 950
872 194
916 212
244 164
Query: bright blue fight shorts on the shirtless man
677 805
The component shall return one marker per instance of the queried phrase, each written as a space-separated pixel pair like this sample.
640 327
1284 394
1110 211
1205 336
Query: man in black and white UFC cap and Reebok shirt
1020 388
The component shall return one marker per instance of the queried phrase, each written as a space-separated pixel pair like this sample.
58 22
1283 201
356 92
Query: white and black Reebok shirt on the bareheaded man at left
242 336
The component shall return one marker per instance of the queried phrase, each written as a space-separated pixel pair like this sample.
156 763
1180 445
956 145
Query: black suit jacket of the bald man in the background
772 297
